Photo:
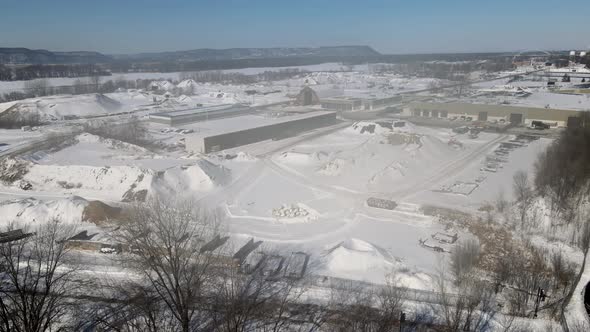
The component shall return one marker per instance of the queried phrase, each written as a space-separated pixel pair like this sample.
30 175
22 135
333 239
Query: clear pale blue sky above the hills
390 26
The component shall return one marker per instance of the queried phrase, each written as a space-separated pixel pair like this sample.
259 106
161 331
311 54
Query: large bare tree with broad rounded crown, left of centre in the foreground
167 239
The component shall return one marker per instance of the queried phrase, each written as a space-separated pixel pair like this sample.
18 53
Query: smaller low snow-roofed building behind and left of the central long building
180 117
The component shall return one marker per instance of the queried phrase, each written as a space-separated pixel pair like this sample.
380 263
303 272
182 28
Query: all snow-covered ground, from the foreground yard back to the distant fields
301 193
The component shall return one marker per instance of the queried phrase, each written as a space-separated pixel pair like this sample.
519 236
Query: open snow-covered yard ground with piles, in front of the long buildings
310 195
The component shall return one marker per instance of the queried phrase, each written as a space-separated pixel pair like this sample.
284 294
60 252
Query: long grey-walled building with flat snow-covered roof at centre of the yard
228 133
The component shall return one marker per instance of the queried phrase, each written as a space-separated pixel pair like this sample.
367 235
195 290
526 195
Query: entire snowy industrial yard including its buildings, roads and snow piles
335 176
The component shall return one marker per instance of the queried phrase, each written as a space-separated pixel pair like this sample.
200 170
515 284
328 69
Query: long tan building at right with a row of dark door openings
482 112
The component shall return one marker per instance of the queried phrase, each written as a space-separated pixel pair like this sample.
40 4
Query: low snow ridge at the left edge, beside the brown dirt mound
31 210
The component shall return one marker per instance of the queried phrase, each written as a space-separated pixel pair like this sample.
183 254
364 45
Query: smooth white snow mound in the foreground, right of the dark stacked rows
357 259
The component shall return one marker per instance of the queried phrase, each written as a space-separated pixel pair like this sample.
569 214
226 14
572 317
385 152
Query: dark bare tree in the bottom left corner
35 279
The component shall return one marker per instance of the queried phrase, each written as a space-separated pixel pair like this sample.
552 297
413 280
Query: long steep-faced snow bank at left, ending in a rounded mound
123 182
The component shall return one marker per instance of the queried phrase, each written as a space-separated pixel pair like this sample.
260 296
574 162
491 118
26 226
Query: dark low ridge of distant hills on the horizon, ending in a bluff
28 56
